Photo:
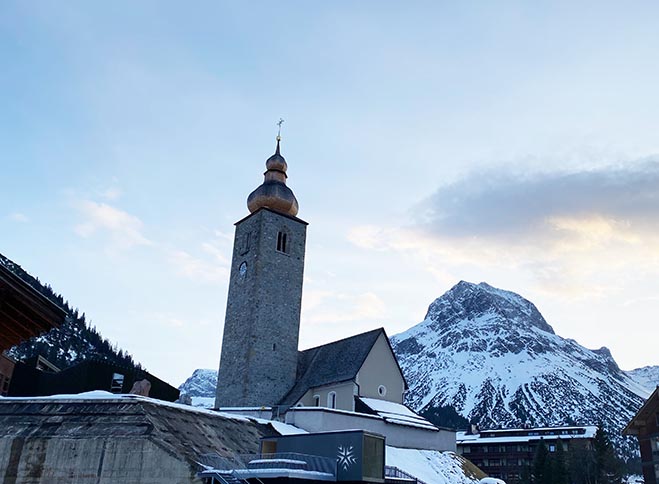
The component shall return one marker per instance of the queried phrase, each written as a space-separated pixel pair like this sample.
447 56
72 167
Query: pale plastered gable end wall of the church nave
380 368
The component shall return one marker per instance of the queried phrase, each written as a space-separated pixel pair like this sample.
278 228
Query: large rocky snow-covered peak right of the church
490 355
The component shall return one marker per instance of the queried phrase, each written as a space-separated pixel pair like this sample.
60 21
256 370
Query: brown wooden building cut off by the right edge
645 426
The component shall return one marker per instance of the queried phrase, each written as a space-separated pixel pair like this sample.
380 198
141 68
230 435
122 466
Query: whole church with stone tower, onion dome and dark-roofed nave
260 362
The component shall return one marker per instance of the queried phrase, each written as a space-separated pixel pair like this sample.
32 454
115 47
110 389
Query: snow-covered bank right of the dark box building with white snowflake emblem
431 466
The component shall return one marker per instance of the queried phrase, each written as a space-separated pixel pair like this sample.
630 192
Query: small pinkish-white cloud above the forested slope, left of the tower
124 229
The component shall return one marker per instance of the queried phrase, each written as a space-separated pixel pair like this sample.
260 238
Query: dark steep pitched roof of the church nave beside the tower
331 363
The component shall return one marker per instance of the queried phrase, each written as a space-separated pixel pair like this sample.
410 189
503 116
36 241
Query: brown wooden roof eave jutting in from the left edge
24 312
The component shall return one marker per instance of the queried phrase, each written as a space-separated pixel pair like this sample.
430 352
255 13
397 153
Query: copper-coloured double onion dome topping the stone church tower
273 193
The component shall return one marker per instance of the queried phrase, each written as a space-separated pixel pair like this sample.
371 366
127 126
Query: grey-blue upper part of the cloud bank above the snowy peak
502 204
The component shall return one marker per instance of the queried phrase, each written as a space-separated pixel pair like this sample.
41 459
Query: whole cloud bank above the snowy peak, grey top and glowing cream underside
579 234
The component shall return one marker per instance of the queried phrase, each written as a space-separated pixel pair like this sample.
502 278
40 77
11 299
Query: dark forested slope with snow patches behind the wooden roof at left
74 341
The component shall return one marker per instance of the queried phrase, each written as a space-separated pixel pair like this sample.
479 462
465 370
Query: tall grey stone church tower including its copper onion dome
260 344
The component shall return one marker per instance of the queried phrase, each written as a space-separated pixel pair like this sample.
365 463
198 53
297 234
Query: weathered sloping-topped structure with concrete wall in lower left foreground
123 439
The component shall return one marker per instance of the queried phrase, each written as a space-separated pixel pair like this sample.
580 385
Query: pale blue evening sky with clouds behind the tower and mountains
427 143
